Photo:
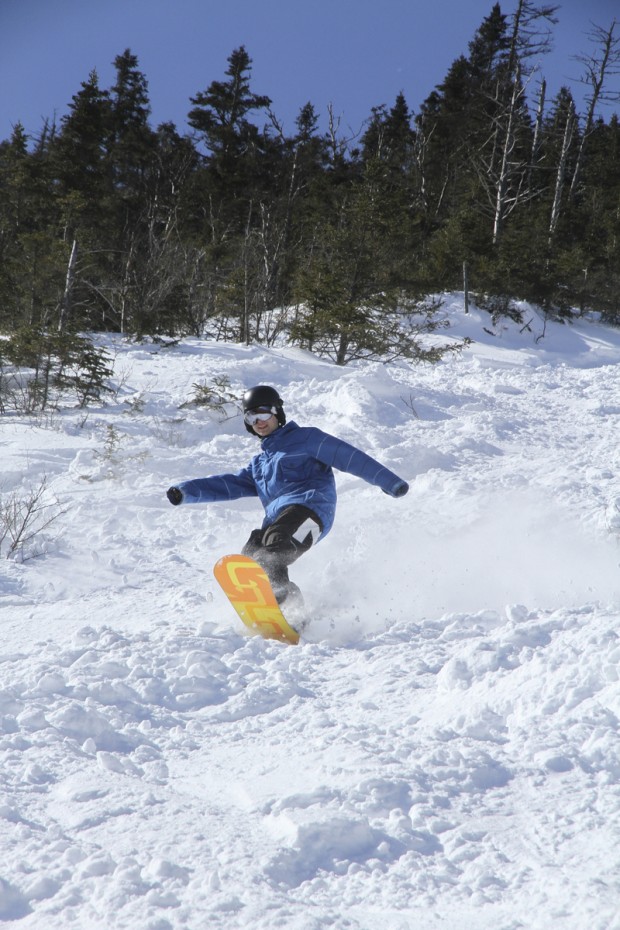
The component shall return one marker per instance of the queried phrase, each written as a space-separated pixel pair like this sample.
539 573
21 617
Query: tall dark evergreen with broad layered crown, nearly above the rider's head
234 193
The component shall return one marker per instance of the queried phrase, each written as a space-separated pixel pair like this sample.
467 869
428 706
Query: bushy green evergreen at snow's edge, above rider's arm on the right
351 300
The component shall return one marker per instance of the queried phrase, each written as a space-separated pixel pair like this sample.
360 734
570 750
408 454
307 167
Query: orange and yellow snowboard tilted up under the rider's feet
248 589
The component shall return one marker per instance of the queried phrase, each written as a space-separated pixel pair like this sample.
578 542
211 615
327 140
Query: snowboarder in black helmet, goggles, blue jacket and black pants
293 478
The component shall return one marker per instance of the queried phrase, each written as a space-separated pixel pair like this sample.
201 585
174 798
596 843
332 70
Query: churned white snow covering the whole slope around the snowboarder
441 751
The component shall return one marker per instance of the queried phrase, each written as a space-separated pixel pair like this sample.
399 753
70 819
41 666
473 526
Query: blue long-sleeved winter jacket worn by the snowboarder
294 466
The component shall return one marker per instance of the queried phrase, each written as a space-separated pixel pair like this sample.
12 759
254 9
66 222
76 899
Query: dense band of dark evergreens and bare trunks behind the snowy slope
239 230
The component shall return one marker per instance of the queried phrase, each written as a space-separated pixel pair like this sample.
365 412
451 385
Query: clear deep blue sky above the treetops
350 54
